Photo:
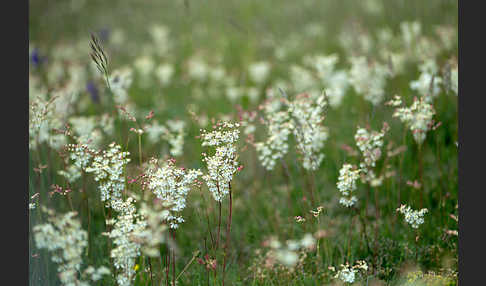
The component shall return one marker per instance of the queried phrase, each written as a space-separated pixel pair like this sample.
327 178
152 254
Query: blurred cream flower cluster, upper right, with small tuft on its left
418 117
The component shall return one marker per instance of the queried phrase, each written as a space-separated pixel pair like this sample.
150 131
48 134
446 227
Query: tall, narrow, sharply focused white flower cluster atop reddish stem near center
223 164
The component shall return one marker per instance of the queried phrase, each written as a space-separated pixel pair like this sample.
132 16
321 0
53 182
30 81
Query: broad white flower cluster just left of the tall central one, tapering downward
171 185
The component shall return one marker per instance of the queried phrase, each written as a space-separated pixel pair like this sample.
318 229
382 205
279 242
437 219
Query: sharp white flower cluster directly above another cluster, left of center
108 168
